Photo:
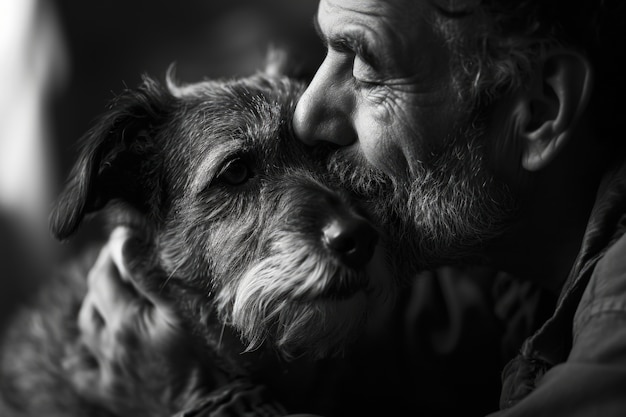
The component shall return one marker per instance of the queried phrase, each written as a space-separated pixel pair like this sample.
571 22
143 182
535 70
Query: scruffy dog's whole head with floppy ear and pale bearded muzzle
235 218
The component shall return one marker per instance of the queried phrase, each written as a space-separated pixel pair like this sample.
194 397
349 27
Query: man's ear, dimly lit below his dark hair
548 110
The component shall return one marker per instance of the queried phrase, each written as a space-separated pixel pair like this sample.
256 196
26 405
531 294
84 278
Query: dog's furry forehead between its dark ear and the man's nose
218 120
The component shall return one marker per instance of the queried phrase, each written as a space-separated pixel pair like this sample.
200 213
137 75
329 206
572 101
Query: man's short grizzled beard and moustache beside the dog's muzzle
451 206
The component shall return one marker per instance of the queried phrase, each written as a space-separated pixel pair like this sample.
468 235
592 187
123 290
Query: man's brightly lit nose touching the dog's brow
324 111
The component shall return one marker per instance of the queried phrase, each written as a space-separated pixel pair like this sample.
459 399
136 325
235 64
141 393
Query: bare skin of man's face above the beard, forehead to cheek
384 88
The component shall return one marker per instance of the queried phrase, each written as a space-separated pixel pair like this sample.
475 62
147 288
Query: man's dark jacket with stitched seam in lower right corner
575 364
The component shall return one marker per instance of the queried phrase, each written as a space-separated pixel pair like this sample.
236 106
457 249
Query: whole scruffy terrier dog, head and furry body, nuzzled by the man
225 221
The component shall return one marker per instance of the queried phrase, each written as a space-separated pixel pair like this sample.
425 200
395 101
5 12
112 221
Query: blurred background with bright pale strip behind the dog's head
63 60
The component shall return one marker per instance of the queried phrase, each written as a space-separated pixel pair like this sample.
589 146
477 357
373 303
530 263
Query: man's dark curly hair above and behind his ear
496 44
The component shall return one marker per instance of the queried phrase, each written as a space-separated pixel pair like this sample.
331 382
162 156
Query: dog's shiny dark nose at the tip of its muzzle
352 238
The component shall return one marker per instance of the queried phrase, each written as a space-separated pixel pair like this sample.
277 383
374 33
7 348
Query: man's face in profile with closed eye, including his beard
385 93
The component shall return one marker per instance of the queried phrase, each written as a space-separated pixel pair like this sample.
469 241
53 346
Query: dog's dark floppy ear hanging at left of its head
118 159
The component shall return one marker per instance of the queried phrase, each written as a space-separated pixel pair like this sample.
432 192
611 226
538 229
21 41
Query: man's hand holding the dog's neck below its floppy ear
132 350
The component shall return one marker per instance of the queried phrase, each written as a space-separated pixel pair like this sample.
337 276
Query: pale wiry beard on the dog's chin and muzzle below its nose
301 302
